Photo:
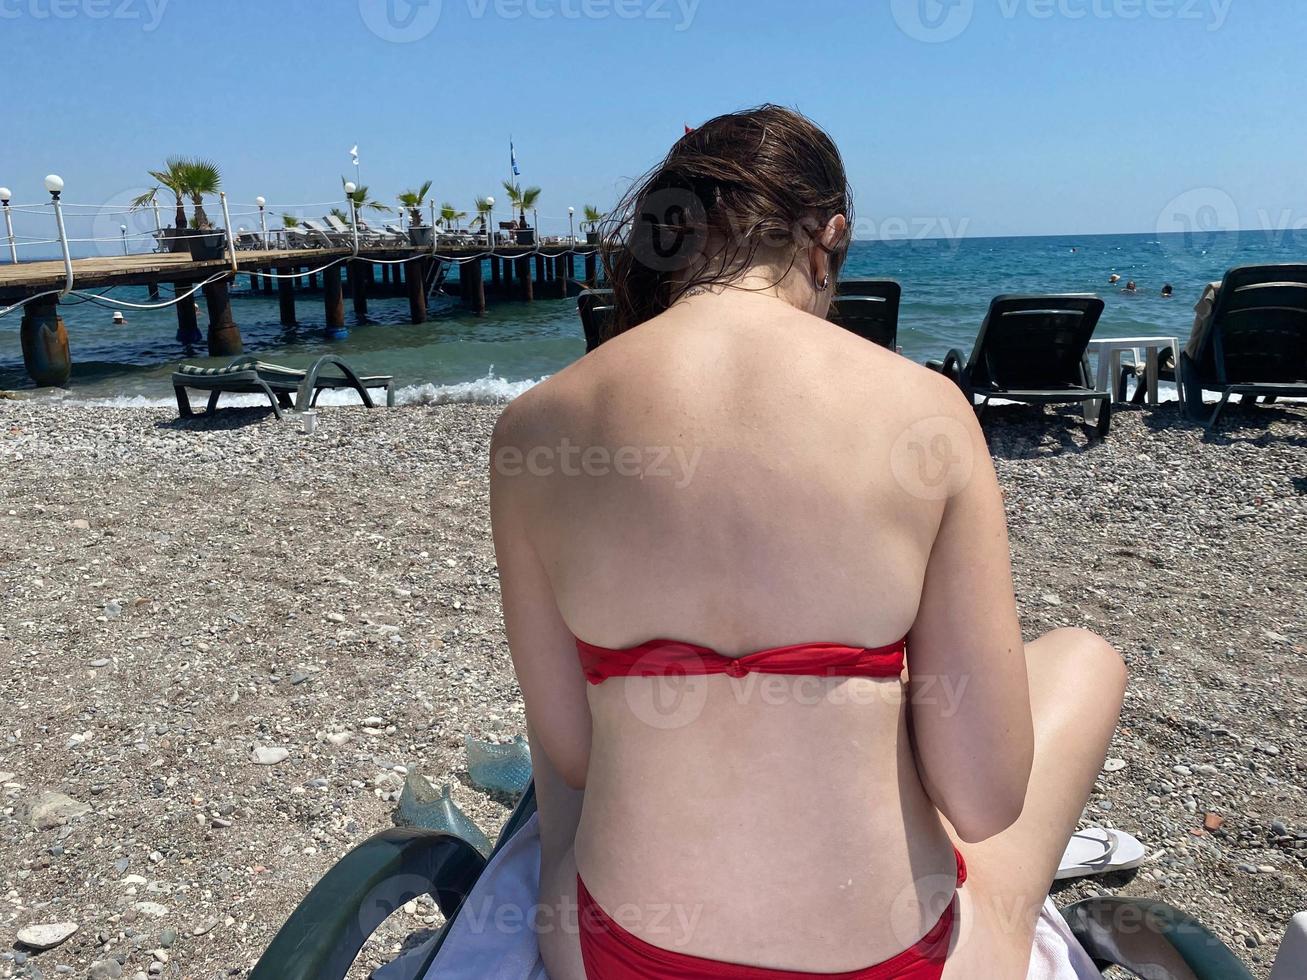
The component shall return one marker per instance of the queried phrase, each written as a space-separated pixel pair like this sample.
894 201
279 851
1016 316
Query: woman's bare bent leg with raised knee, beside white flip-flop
1078 681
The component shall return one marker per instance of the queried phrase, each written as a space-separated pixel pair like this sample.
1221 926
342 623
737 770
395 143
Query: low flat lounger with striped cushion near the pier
286 387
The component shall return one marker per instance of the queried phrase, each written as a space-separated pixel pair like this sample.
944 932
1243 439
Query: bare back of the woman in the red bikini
742 475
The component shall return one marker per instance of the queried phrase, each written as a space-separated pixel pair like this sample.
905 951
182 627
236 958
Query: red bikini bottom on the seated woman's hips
611 953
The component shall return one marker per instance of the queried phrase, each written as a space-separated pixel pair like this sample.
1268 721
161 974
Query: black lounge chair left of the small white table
1033 350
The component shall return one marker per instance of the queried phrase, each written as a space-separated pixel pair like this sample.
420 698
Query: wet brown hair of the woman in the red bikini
765 178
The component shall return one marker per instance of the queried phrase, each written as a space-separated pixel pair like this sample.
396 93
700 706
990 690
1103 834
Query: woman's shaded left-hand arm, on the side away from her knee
543 649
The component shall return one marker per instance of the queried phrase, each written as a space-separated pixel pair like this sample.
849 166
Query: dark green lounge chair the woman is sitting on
326 932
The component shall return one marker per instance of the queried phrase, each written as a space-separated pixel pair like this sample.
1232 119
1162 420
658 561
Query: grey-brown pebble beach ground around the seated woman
180 598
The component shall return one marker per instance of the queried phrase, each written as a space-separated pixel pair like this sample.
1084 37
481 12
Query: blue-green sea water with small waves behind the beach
947 284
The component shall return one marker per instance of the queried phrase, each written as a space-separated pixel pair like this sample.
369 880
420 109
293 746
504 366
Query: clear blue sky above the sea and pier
976 117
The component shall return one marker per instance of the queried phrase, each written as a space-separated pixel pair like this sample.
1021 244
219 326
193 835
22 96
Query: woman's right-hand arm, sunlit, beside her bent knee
967 659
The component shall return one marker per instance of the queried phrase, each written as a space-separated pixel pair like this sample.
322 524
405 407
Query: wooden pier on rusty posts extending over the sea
517 274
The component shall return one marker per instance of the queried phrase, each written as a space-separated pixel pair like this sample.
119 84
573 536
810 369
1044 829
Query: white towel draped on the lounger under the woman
484 945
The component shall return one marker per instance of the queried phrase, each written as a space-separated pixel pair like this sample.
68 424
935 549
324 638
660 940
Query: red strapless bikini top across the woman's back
672 658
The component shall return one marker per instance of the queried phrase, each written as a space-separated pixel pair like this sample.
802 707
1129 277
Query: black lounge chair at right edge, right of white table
1257 343
